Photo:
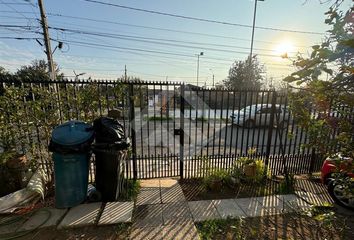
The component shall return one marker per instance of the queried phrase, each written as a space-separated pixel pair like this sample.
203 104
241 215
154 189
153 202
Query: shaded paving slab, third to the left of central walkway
46 217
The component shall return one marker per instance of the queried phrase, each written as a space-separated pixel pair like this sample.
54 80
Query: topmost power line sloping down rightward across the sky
200 19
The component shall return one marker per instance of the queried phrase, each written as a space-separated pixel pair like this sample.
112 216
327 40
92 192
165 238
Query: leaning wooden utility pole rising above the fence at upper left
48 48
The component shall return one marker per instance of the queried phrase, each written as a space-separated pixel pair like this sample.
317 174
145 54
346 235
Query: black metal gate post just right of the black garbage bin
132 128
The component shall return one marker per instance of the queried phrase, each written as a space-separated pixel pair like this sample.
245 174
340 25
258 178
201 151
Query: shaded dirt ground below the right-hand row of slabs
287 226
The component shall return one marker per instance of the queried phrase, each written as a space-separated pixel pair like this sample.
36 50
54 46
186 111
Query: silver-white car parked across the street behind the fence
260 115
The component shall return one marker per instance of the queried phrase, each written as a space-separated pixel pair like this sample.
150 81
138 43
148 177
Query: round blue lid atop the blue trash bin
72 133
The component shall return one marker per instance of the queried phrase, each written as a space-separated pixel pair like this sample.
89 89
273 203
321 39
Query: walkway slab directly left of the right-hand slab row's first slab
176 210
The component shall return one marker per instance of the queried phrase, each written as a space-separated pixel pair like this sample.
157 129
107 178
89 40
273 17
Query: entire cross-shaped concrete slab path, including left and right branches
162 212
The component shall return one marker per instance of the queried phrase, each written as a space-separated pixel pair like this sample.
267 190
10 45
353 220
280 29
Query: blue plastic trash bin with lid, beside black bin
71 147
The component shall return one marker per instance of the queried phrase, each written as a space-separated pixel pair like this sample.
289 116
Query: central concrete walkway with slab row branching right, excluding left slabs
162 211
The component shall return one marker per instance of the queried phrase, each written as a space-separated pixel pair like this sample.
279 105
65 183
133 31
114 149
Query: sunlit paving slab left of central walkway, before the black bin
116 212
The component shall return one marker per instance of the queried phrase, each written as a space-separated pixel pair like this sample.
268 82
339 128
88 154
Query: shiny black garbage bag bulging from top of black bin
109 132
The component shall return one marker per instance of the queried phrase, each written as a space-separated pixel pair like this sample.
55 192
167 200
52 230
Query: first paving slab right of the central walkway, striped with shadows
203 210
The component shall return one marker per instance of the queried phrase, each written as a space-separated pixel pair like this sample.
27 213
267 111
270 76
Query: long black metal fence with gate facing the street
173 126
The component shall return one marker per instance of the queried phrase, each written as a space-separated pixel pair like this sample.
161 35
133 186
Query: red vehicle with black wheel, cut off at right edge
336 188
